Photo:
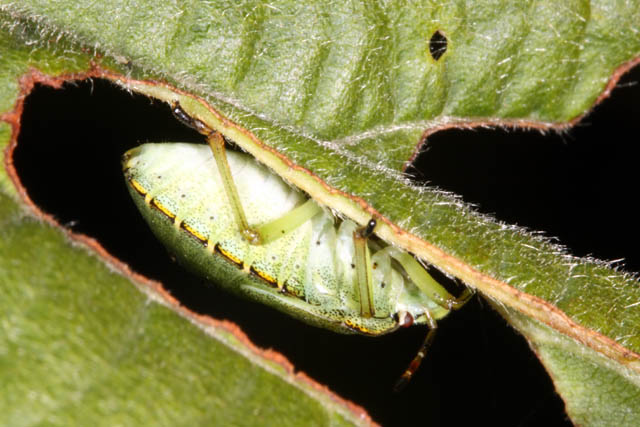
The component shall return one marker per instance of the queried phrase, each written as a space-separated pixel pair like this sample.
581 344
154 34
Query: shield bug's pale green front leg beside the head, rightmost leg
428 284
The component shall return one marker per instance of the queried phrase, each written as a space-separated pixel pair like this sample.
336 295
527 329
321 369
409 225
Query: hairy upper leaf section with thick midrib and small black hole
323 88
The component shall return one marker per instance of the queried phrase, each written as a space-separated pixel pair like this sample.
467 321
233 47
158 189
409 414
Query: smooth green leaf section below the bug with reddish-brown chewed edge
80 344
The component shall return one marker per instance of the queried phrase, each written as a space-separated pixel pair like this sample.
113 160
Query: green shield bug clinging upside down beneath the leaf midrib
236 223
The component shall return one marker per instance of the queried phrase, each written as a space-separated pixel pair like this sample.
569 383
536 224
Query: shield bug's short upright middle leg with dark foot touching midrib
364 275
